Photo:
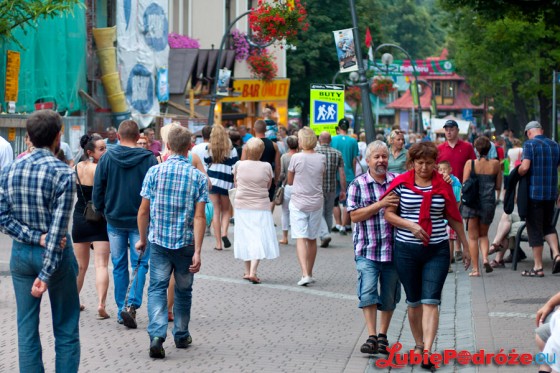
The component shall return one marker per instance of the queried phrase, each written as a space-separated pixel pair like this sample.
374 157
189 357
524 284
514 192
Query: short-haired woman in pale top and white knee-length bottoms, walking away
305 173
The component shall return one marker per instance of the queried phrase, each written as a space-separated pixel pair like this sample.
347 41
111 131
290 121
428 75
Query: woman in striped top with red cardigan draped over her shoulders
421 249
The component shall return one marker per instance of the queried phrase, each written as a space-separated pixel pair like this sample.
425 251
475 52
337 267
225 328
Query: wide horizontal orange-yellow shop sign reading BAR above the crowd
258 90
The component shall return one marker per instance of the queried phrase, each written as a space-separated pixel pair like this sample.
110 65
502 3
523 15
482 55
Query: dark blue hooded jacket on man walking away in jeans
117 184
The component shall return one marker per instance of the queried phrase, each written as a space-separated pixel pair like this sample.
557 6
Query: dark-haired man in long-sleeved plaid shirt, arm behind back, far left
36 195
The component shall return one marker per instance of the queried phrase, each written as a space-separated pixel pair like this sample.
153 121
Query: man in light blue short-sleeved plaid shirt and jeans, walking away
174 195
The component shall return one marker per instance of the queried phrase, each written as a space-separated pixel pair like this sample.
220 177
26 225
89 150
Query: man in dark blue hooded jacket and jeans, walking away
116 193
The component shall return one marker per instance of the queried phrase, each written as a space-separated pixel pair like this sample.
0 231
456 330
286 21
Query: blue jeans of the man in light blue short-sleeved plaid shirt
164 261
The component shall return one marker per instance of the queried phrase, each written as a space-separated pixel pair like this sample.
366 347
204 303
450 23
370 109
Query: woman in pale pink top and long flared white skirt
255 236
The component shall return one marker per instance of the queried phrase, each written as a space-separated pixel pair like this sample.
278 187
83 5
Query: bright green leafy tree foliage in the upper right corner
507 51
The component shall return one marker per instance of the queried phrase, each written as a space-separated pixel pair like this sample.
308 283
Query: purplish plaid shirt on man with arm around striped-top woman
373 238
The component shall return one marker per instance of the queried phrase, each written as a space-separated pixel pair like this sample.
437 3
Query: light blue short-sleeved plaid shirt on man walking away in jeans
173 187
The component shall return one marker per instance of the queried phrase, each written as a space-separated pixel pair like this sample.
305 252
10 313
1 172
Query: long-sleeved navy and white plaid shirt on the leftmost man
36 196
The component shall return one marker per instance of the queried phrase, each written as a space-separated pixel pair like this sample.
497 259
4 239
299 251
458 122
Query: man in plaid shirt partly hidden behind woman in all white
334 164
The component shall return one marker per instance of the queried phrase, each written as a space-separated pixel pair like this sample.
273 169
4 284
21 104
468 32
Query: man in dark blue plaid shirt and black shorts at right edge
541 156
